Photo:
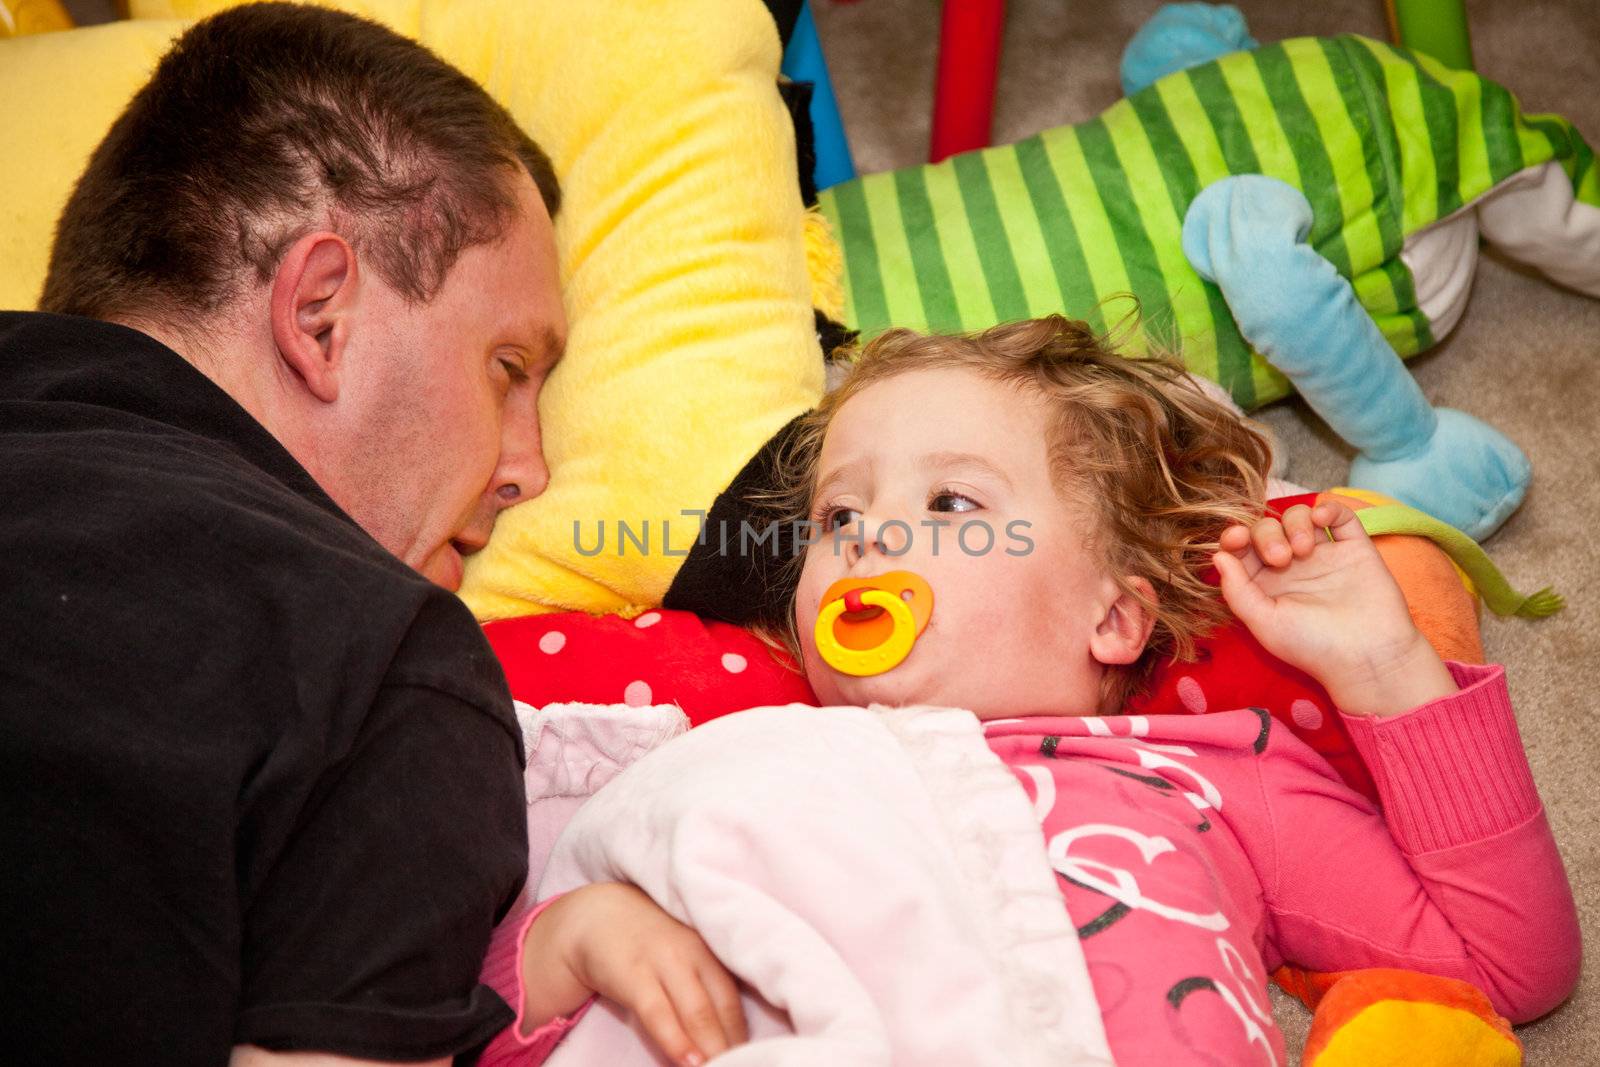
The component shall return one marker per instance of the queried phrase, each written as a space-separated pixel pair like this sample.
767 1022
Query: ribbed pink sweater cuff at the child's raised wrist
1454 770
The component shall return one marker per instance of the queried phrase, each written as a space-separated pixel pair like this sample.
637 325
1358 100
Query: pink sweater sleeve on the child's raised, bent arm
1458 876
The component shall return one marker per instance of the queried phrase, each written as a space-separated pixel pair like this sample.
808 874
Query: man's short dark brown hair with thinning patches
265 124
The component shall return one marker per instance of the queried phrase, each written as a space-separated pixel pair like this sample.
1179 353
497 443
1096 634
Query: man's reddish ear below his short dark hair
313 300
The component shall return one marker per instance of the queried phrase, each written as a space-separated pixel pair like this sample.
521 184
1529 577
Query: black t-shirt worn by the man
260 781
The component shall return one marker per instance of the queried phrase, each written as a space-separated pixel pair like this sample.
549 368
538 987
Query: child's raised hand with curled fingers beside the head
1330 609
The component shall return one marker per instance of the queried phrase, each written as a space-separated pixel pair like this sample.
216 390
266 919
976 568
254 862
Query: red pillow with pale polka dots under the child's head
710 669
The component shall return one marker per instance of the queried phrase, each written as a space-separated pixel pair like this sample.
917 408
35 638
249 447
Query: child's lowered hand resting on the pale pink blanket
615 941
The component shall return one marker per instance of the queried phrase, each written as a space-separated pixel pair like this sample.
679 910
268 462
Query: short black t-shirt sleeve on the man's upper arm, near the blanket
369 935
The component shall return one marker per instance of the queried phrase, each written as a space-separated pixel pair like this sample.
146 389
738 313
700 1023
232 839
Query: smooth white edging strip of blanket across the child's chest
999 849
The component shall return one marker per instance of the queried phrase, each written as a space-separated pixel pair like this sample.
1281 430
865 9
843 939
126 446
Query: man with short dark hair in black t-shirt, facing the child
260 777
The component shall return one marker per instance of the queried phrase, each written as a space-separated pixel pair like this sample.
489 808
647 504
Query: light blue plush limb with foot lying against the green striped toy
1247 234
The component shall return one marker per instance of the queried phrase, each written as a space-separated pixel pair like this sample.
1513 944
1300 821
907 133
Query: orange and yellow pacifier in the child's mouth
868 625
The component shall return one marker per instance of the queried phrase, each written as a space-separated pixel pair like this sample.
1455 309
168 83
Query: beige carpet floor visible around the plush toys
1526 359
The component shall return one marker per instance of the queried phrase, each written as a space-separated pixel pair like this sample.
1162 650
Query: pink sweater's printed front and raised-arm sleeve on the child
1199 853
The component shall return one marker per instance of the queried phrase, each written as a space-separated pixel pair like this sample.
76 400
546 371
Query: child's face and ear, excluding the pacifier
1022 626
